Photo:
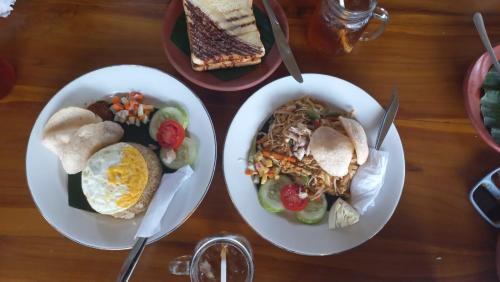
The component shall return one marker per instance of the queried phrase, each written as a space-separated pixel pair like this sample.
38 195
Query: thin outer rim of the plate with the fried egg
214 165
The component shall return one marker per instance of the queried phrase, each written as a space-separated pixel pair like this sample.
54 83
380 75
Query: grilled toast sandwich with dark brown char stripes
222 34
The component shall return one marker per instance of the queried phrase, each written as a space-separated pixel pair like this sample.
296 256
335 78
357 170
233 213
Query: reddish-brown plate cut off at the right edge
472 92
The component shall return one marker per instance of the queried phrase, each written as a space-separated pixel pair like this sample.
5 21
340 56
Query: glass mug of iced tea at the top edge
337 25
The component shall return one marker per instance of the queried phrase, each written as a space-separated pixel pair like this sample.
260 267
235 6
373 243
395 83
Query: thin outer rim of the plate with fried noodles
301 252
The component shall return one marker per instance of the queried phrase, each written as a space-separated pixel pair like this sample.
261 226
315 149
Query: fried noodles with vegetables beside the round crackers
278 147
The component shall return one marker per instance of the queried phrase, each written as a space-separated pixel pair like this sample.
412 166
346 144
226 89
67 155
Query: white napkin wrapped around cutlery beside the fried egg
170 184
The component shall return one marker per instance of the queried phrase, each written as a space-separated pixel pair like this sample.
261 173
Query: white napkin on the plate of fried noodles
368 180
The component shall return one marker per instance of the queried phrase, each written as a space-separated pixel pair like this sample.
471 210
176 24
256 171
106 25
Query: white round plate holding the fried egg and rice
48 181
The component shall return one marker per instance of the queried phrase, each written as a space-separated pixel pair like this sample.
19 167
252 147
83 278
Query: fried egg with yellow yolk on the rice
114 178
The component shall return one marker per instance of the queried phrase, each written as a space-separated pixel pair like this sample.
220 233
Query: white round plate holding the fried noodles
288 233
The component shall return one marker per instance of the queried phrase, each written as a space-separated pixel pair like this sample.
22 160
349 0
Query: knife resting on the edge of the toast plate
283 47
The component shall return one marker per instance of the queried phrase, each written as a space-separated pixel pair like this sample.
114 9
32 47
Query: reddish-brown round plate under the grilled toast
182 63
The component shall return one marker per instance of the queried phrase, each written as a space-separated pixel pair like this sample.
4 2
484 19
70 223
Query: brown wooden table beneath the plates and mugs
428 46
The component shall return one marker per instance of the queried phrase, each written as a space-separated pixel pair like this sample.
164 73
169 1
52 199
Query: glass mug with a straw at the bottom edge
207 265
